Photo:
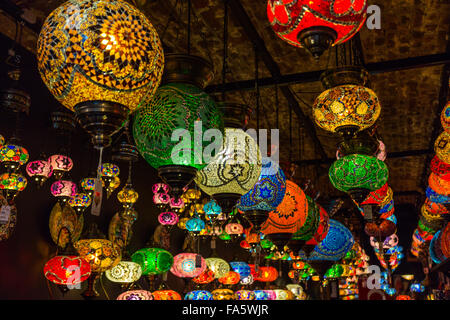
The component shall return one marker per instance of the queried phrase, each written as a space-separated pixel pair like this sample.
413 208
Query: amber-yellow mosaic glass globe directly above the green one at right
346 106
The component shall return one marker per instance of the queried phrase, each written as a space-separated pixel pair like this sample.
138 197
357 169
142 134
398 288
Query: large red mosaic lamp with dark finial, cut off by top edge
316 25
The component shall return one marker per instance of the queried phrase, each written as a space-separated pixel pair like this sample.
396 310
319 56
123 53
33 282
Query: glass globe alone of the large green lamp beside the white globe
174 106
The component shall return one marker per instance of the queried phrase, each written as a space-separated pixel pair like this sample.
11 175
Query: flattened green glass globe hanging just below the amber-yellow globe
357 171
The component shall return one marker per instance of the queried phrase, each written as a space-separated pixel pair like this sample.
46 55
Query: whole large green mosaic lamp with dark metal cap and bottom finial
166 128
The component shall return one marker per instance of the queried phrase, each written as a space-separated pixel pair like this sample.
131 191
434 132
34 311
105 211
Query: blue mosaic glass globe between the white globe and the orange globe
268 191
